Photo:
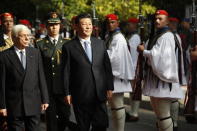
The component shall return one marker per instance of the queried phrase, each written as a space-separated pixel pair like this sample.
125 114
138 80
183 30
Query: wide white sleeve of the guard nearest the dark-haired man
121 62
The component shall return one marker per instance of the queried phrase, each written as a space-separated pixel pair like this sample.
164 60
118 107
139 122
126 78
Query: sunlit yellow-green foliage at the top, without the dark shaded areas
124 8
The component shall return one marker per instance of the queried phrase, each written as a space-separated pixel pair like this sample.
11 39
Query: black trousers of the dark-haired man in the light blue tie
94 115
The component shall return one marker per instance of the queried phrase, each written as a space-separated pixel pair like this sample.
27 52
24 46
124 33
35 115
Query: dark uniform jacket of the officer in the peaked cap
51 55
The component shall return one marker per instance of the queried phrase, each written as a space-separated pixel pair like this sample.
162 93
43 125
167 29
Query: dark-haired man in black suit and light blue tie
87 77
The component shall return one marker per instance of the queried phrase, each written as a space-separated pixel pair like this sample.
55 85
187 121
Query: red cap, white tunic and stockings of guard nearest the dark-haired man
123 72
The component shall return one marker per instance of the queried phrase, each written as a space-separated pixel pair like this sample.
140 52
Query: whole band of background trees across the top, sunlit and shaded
31 9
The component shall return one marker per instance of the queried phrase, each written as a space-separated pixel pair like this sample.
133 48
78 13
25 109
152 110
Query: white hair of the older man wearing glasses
18 28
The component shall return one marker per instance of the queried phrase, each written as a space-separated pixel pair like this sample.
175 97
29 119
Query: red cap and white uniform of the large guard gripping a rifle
163 73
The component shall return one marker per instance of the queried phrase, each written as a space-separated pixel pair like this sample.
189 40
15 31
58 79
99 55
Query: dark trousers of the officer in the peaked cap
58 113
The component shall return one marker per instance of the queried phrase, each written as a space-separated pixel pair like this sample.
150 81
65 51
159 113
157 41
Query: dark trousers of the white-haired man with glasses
24 123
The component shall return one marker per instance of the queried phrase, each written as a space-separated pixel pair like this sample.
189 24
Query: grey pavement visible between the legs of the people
146 118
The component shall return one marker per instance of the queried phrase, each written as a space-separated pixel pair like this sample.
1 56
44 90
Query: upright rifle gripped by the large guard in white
137 84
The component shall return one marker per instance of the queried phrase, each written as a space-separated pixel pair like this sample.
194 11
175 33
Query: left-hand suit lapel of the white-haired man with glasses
13 57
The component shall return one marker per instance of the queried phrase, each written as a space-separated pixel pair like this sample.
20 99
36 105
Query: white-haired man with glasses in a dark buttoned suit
23 90
